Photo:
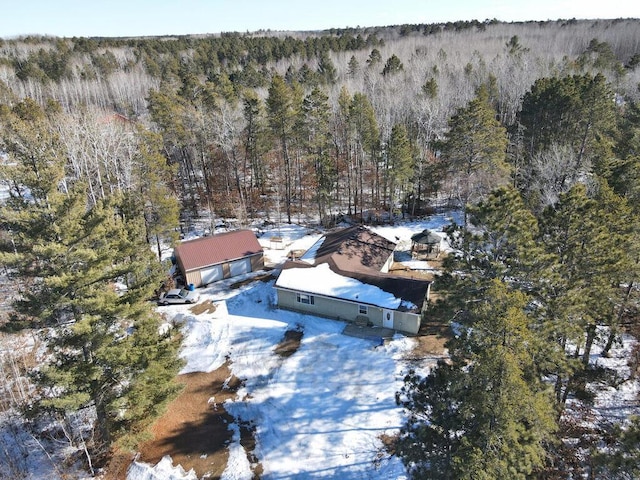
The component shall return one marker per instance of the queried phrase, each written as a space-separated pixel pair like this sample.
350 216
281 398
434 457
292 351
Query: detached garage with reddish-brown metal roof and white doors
209 259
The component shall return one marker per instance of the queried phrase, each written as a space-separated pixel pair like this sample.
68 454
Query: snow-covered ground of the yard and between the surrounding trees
319 413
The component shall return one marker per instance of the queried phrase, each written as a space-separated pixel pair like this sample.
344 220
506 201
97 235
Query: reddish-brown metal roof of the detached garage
220 248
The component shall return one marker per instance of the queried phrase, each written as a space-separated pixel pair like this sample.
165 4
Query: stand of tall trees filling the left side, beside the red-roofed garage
85 201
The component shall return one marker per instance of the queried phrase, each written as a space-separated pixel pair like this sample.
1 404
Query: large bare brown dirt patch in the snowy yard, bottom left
194 430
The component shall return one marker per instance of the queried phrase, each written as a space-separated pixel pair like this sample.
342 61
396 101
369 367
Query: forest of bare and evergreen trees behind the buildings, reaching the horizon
212 101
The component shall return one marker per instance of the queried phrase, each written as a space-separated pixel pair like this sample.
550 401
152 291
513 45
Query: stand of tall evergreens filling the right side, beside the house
544 275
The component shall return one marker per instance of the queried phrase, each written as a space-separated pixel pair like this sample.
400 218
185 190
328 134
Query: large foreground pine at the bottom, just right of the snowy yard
487 414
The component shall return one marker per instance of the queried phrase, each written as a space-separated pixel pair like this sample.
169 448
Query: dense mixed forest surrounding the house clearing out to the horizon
114 145
